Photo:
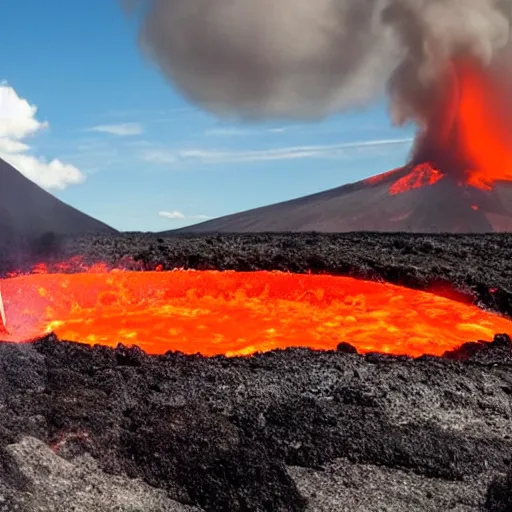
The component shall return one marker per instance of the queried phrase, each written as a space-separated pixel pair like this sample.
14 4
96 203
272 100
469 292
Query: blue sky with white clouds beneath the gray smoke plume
144 158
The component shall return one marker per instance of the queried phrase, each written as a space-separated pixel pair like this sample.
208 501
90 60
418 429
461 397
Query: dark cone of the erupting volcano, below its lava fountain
445 206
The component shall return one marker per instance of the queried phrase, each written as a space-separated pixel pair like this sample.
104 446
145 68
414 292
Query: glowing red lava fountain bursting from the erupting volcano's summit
468 132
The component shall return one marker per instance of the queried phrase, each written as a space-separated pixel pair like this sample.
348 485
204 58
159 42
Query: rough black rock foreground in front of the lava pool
290 430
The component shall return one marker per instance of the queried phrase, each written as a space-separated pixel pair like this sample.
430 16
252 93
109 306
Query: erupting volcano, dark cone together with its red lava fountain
459 179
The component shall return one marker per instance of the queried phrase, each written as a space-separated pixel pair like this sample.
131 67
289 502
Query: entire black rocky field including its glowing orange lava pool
343 428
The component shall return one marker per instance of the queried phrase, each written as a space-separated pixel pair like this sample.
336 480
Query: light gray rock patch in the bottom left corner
49 483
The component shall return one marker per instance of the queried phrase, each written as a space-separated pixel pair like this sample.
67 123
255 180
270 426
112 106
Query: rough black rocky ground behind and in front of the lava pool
101 429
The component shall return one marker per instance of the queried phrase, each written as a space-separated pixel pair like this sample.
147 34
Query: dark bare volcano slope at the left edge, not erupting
27 211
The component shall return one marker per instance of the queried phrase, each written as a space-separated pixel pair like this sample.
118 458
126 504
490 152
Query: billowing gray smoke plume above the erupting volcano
311 58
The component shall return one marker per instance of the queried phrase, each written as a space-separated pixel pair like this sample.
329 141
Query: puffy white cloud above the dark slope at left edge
17 122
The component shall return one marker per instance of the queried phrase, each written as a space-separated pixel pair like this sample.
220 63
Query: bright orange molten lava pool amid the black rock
235 313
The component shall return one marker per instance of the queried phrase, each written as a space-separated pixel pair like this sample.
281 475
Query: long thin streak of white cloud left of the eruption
166 156
